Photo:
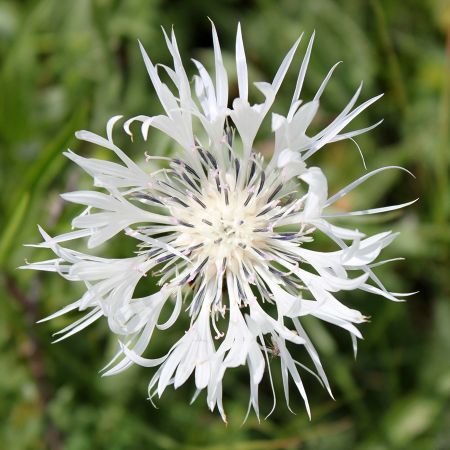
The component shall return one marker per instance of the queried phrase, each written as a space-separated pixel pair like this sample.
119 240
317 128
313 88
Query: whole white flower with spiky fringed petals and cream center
228 236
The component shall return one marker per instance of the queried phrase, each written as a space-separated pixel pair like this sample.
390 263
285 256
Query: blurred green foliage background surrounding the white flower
69 65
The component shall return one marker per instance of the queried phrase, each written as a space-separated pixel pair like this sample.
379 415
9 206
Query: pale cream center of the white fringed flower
223 225
